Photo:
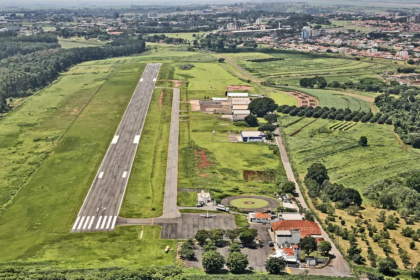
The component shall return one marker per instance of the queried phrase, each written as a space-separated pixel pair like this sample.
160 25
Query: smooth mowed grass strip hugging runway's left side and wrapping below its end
36 228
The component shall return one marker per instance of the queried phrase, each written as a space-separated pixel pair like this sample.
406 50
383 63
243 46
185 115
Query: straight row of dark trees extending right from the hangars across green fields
334 114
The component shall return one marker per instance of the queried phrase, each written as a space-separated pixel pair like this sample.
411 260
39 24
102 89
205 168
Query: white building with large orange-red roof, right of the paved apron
291 231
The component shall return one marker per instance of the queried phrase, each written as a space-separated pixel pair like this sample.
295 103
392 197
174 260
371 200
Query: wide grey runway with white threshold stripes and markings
103 202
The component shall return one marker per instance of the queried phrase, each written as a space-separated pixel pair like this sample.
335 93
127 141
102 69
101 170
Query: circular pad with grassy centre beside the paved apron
270 203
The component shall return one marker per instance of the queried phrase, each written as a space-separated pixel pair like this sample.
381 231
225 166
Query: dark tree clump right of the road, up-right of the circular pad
316 181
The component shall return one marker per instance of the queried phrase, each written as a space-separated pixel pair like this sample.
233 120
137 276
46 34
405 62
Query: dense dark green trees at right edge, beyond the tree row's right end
405 112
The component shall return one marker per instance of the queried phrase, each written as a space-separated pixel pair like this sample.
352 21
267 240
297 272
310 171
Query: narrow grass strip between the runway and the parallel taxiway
145 189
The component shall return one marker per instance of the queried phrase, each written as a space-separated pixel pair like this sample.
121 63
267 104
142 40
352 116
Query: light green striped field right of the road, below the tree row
347 163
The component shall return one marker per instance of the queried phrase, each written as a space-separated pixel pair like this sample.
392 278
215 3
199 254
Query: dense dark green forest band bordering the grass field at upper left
22 75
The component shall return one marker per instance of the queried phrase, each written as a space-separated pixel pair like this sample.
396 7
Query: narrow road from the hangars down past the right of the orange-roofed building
337 266
